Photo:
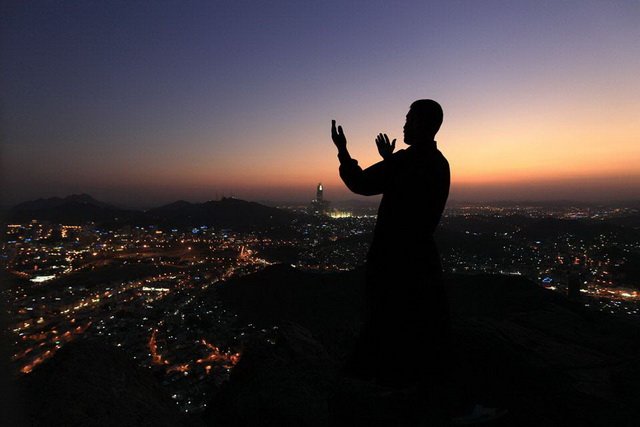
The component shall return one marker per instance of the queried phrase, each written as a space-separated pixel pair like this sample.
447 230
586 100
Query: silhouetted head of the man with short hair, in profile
423 121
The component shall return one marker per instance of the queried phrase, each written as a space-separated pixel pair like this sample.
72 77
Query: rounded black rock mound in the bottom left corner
91 384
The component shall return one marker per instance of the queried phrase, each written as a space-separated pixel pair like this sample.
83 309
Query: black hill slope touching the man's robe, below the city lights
330 304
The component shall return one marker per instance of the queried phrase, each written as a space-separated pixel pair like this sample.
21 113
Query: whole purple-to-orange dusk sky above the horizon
143 103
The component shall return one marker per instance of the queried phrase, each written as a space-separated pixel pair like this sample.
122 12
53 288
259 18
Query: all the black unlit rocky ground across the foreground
545 359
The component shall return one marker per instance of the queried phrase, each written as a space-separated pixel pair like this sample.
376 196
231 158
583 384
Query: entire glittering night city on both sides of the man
151 289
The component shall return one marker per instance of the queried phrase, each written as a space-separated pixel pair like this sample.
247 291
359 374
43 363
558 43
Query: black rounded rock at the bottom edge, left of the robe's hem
285 384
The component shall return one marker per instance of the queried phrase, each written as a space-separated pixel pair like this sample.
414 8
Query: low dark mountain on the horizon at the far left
74 209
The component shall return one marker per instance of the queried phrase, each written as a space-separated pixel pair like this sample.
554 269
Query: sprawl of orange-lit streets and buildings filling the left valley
138 288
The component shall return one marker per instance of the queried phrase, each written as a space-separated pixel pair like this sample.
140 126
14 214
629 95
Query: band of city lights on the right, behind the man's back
589 266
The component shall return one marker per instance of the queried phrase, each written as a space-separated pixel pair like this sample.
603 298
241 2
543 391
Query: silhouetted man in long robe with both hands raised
407 307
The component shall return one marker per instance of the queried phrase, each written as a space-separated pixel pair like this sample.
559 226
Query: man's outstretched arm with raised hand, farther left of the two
366 182
